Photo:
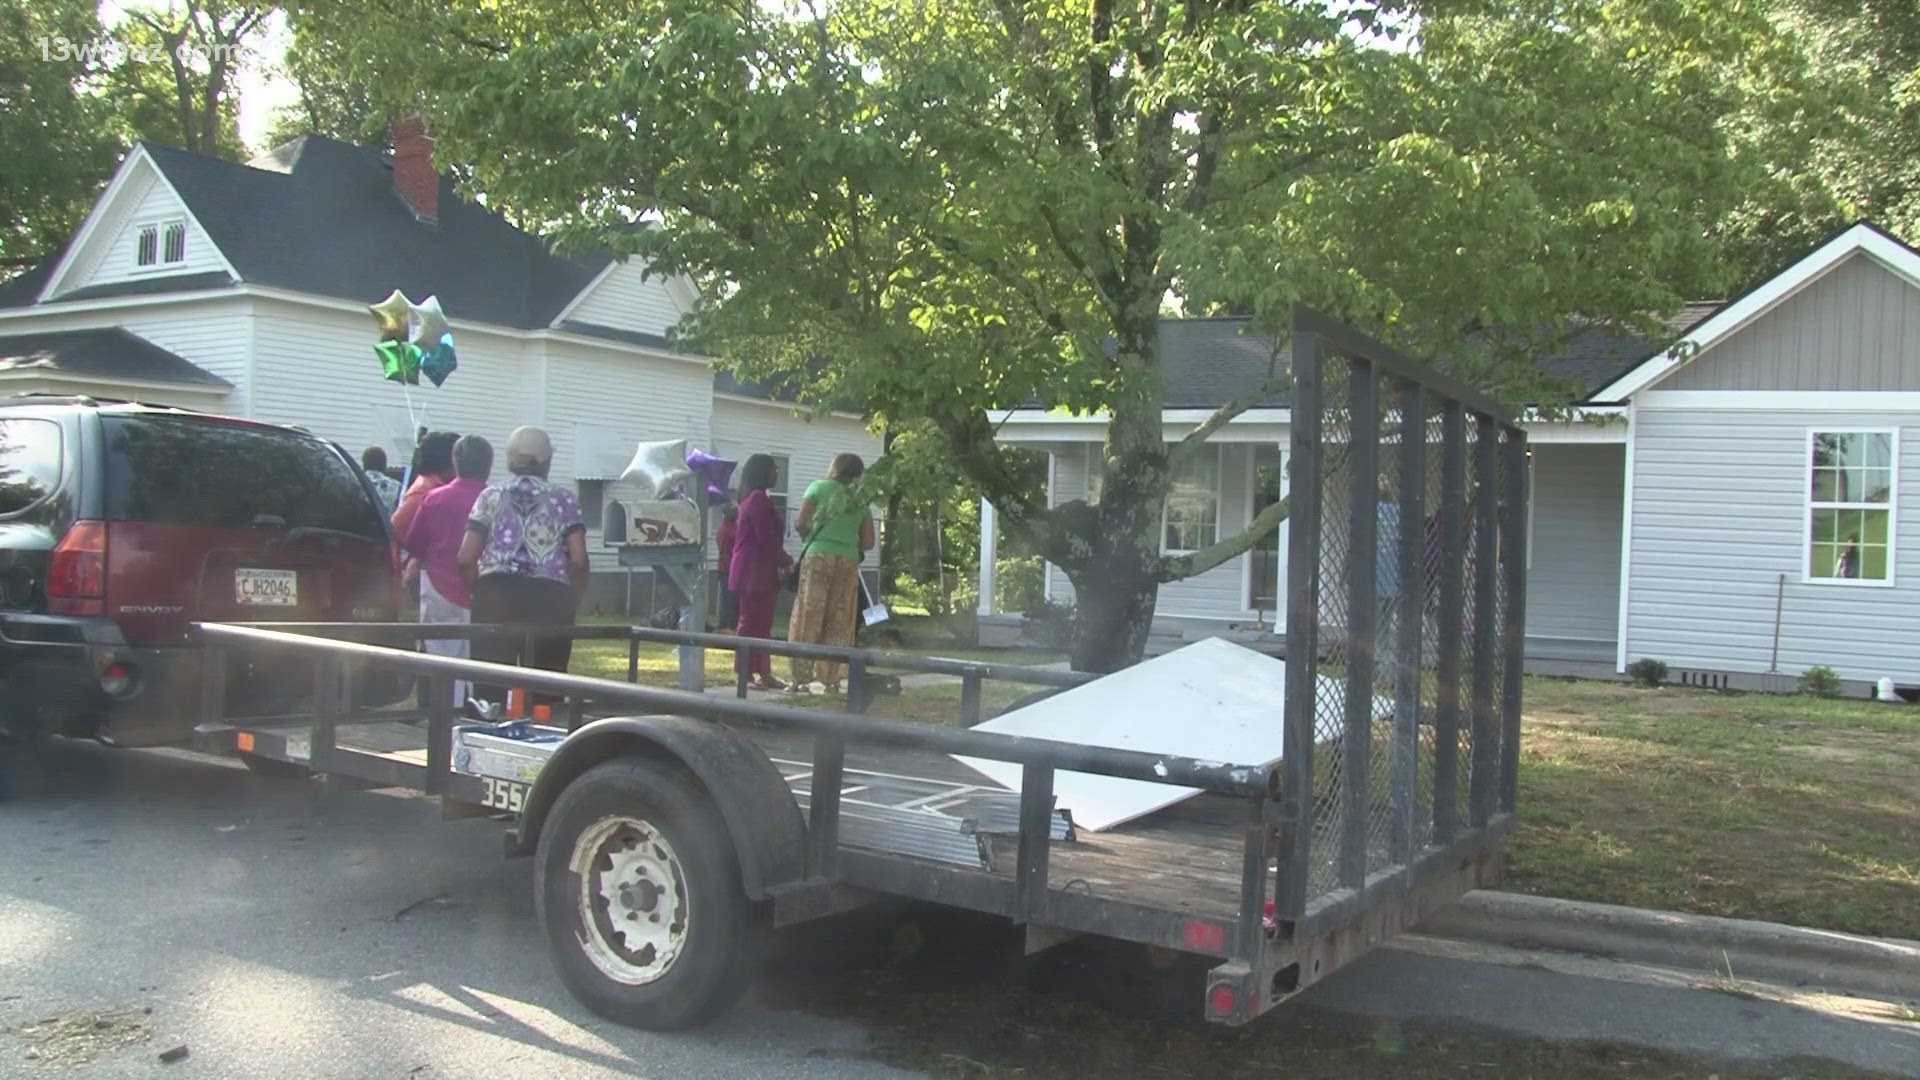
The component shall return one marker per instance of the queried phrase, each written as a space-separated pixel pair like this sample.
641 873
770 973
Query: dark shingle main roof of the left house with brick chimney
322 216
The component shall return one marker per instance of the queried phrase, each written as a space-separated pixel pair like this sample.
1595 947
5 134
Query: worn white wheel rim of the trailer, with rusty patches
633 900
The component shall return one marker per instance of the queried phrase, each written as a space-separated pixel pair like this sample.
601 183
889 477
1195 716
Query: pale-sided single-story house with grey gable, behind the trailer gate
1742 504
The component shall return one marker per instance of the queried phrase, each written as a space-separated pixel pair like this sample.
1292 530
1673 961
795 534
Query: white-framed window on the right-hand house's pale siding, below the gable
1850 506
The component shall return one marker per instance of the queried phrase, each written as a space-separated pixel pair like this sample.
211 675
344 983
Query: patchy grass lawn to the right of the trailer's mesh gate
1781 808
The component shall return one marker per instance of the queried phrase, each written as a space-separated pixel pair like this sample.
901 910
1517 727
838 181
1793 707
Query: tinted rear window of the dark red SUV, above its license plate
183 472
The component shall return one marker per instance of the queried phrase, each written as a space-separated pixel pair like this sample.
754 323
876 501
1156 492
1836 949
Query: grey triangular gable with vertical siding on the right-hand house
1856 328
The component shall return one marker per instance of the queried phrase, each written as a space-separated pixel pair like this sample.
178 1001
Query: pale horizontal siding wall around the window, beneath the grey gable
1719 503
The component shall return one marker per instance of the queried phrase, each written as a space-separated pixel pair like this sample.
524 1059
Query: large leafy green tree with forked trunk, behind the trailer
951 210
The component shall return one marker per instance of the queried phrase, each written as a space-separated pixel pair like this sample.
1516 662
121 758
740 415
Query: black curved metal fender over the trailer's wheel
752 795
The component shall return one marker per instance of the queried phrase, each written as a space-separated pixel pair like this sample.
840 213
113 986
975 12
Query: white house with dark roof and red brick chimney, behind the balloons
243 289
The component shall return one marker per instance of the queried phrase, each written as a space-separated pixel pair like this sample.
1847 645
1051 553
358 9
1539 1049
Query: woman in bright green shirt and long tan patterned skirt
838 531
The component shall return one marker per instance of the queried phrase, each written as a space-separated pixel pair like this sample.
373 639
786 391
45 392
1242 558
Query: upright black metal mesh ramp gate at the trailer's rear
1404 616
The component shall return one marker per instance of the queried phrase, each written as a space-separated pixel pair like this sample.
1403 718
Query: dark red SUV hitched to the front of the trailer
124 524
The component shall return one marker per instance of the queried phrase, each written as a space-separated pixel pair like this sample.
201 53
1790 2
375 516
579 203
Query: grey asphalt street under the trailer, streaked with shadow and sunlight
352 906
